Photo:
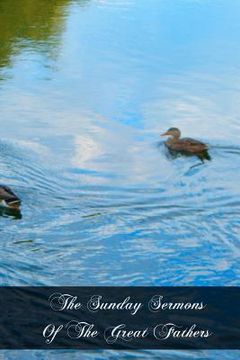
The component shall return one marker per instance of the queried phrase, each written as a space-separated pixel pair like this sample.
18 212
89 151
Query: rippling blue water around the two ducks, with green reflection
86 88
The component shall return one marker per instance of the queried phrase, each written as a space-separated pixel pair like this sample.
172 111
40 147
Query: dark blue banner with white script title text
120 317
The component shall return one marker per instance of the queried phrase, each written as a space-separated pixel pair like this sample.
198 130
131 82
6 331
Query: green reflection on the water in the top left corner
37 24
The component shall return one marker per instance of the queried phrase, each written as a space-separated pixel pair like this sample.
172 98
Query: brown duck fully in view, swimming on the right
185 145
